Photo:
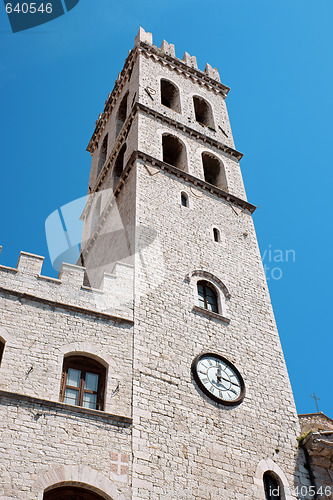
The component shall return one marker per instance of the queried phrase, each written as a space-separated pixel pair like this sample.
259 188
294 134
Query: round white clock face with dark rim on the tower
218 379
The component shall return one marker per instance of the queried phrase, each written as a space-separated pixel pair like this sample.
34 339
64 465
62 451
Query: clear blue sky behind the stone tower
276 55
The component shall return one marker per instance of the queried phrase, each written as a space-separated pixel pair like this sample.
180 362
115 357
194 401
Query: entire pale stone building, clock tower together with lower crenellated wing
153 368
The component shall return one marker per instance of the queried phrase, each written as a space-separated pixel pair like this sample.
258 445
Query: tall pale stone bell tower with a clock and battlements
213 410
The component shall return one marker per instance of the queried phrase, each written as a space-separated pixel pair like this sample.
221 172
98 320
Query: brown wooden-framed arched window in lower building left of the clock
83 382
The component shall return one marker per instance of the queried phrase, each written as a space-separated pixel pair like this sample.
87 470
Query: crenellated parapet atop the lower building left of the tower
68 291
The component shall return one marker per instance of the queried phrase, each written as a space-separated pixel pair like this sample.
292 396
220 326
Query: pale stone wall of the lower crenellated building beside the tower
43 320
